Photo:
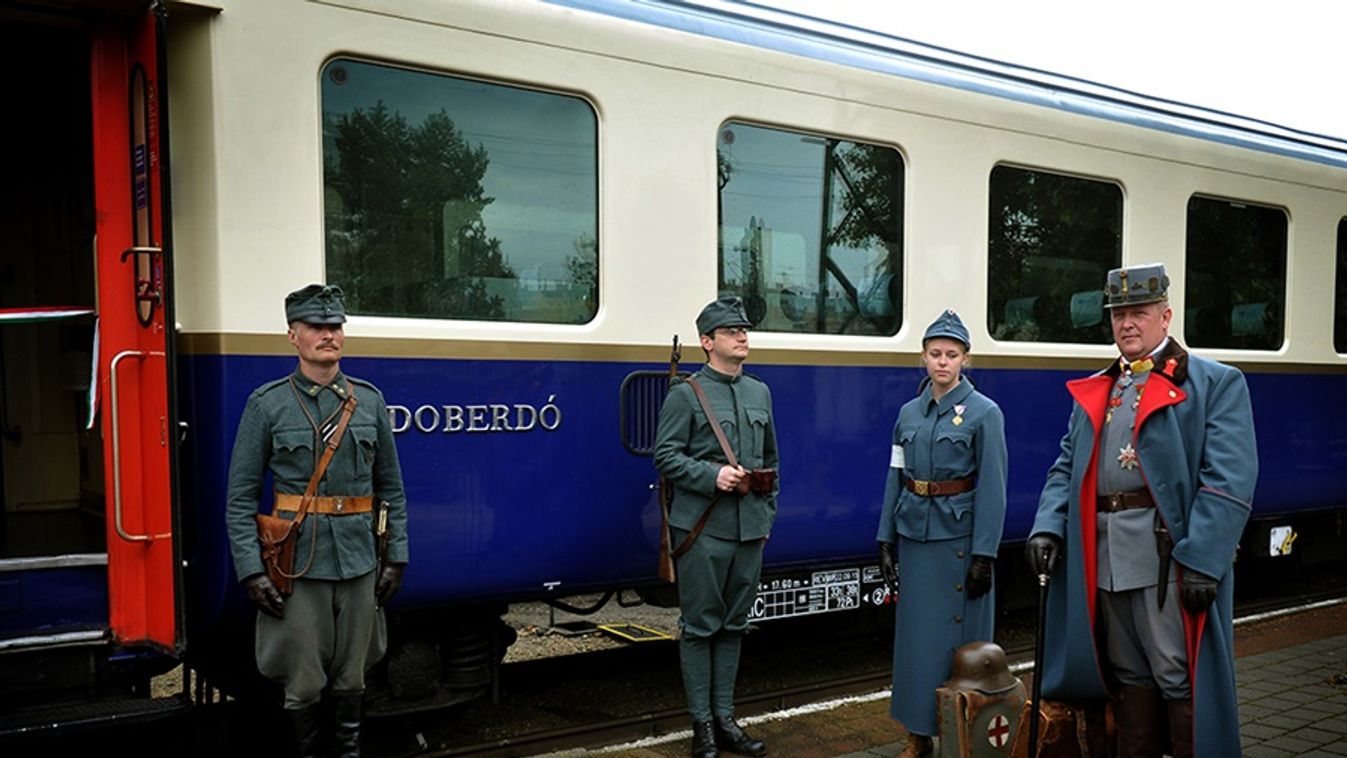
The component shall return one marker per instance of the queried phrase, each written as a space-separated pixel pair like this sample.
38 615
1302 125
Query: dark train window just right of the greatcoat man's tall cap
1236 282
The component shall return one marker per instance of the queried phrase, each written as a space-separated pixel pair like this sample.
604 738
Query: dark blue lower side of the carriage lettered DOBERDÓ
521 514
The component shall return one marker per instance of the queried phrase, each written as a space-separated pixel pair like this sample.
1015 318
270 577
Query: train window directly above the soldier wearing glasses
810 231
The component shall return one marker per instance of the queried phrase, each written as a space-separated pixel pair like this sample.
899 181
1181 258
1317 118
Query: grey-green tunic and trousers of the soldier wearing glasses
719 577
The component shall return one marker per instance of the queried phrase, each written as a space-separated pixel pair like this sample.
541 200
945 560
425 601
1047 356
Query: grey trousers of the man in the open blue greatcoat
1146 644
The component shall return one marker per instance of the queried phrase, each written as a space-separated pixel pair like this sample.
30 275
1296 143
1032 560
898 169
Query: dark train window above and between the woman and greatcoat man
1053 240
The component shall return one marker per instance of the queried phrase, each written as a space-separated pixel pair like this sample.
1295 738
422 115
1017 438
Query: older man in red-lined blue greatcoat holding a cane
1144 508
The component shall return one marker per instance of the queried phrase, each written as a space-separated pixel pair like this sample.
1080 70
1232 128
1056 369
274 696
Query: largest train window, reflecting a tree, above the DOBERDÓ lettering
457 199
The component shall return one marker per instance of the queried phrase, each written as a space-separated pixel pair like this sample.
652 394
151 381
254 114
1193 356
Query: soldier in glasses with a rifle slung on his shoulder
719 576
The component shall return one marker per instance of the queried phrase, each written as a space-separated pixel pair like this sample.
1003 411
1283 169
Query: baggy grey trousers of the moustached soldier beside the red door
331 635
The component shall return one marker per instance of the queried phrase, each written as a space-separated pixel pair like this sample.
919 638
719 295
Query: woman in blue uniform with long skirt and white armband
941 526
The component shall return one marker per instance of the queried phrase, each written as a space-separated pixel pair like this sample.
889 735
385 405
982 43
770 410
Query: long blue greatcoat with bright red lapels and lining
1195 441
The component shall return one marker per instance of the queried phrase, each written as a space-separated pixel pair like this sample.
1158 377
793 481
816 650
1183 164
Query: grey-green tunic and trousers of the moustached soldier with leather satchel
275 436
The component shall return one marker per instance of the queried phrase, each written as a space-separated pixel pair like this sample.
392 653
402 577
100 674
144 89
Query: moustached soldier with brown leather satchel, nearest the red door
331 629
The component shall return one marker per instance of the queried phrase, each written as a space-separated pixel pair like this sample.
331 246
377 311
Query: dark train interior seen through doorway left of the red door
51 464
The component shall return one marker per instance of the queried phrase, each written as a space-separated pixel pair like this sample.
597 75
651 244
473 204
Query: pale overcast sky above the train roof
1283 63
